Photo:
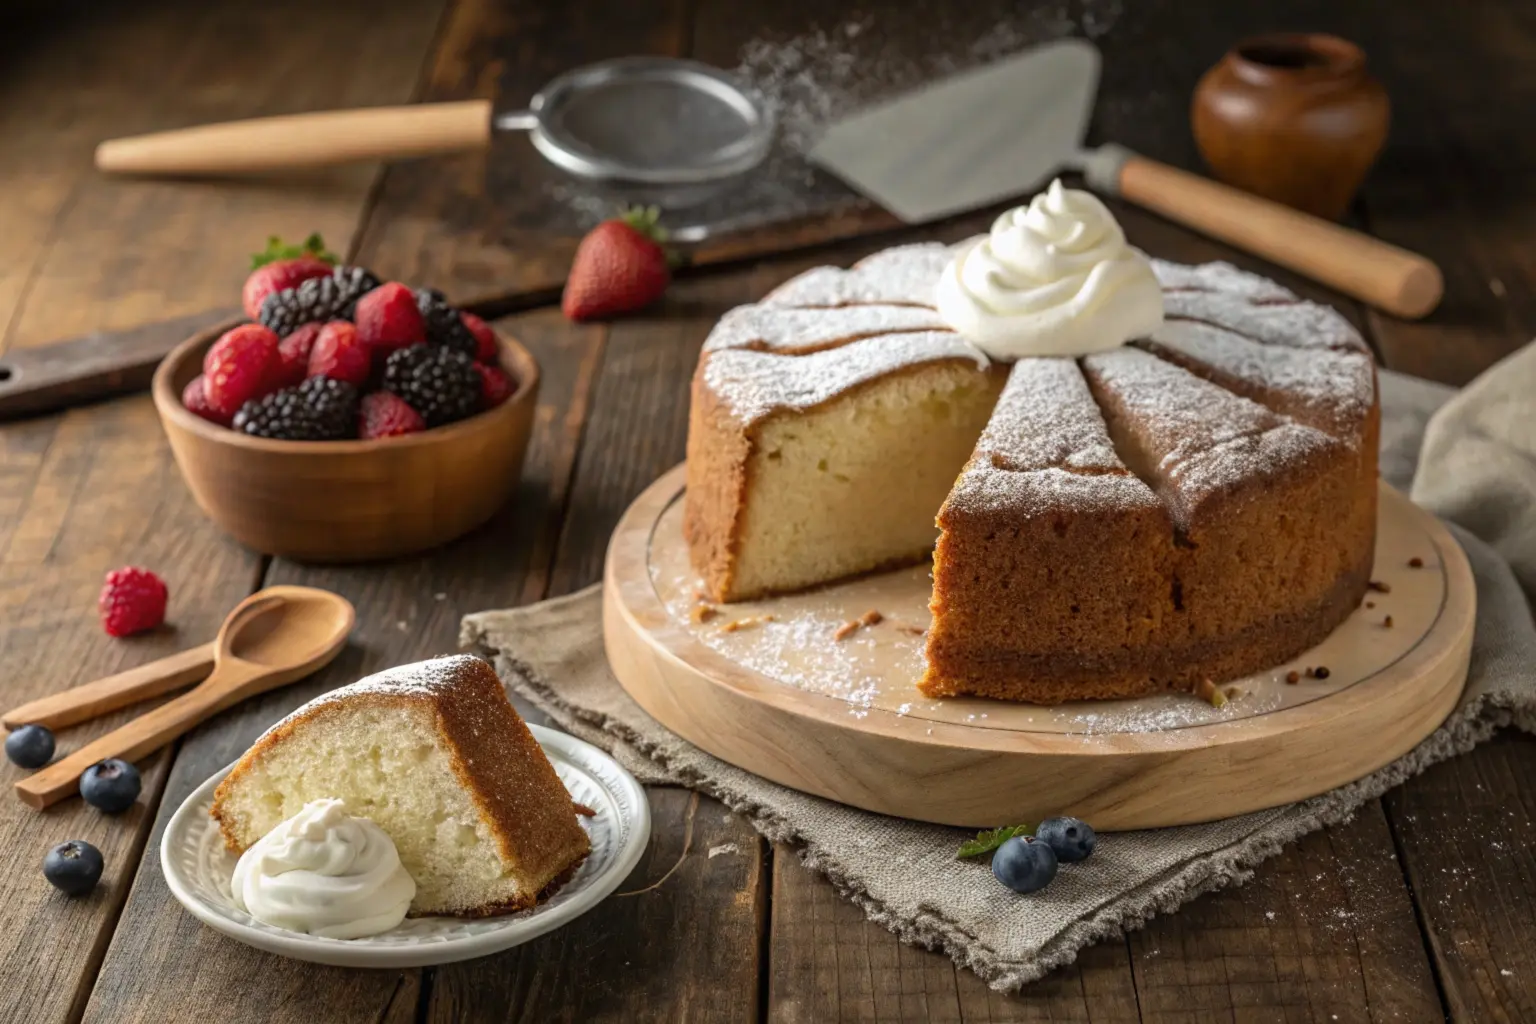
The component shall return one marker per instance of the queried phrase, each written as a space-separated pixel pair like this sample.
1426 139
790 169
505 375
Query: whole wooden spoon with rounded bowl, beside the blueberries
271 639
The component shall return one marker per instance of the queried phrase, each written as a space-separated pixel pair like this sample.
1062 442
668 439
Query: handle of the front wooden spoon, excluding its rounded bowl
139 738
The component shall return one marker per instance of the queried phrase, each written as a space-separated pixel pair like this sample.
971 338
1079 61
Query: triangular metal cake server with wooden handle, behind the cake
1005 130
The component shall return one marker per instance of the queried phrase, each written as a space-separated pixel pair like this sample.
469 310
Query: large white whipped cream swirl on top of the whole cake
1053 279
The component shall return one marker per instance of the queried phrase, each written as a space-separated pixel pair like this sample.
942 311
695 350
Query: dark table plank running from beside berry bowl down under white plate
164 965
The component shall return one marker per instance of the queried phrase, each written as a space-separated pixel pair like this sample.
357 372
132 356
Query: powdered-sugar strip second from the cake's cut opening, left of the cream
806 331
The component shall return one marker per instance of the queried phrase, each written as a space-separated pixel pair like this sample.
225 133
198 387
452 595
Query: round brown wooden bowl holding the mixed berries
349 501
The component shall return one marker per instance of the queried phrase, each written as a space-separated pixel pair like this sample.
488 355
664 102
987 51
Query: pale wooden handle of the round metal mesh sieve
302 140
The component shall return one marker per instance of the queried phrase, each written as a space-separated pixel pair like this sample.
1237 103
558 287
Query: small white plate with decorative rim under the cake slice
199 870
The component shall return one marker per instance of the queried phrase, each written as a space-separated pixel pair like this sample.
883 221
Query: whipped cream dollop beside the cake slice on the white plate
325 873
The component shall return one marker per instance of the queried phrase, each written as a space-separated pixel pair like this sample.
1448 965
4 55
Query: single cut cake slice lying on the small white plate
435 756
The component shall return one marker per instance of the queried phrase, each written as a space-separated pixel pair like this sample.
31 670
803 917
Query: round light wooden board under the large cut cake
769 687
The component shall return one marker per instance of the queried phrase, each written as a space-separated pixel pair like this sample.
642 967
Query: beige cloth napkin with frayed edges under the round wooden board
1478 469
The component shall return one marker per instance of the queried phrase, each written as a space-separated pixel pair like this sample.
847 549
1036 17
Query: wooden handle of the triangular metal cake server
1391 279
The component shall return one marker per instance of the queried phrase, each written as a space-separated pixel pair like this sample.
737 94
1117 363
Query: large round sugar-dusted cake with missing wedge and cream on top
1145 475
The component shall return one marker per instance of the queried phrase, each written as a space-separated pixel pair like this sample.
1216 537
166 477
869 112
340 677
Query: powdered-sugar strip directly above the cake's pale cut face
758 383
